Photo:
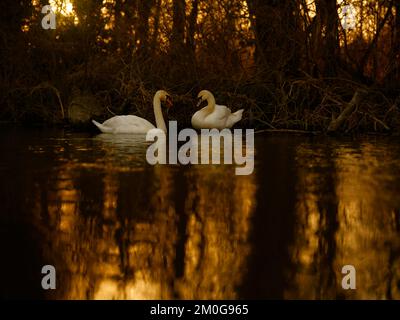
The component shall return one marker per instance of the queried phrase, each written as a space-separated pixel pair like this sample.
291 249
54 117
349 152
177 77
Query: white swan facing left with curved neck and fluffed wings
214 115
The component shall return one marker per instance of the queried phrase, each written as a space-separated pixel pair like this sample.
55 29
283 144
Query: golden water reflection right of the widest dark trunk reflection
353 223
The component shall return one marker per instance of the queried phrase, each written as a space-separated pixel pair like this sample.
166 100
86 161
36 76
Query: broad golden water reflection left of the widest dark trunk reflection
121 236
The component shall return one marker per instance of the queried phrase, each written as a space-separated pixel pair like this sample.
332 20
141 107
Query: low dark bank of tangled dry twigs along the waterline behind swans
357 110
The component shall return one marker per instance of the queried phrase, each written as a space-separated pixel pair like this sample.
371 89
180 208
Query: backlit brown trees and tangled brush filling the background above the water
288 63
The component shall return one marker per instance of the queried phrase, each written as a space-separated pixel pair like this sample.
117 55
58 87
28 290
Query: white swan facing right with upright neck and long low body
134 124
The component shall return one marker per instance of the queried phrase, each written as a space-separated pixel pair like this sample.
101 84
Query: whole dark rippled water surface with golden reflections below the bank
115 227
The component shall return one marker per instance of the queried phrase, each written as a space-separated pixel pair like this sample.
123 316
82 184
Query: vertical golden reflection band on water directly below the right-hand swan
219 209
